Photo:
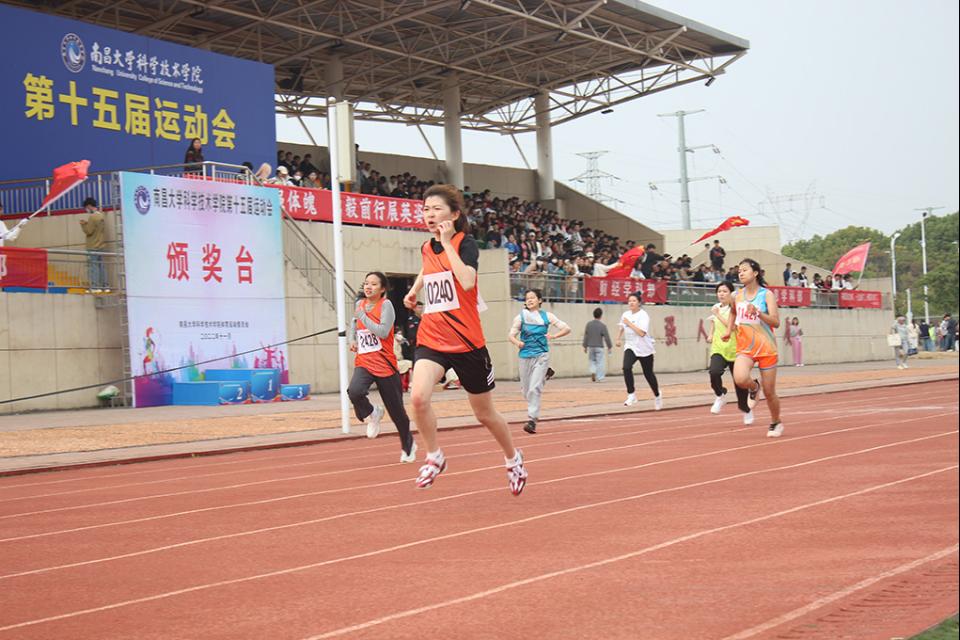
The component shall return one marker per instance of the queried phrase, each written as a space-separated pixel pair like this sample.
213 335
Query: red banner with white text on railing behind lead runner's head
316 205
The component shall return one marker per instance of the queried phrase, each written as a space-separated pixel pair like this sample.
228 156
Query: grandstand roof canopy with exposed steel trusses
397 55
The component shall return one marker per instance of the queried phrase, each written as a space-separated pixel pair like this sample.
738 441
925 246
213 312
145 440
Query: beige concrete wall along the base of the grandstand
52 342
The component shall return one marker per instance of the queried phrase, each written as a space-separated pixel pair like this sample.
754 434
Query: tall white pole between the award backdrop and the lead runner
338 265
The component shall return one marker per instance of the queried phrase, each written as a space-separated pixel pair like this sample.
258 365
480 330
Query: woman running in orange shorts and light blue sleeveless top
756 318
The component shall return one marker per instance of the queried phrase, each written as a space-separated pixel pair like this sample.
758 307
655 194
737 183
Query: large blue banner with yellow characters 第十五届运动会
75 91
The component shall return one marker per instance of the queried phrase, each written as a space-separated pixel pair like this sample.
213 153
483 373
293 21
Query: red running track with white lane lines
676 524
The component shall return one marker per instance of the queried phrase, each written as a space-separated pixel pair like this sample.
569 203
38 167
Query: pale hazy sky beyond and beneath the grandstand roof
854 101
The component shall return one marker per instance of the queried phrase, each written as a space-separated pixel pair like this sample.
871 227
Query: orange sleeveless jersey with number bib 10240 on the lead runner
451 319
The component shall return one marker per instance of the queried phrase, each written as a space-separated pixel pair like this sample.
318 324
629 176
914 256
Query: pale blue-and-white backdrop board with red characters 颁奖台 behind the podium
205 280
